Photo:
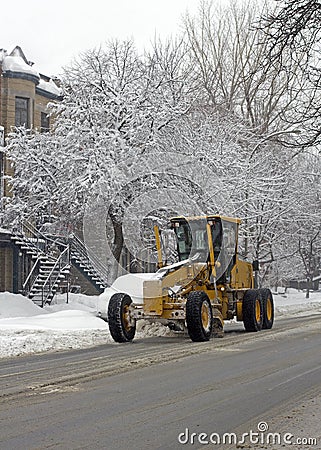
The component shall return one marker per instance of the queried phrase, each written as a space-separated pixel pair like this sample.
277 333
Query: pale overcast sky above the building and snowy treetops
52 33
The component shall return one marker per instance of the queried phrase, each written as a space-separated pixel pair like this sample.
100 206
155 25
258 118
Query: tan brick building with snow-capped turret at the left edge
24 97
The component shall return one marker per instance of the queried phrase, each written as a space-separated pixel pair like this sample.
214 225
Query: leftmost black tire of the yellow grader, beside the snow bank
120 327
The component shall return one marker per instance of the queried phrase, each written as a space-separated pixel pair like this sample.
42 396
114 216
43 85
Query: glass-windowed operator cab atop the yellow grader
193 244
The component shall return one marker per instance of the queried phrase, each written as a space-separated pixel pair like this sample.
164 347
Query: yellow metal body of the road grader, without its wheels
165 296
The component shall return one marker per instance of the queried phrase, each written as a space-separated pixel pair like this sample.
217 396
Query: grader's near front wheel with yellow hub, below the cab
199 316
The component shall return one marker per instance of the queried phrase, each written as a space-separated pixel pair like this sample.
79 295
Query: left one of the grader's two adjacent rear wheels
252 310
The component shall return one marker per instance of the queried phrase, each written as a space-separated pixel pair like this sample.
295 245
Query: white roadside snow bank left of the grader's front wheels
27 328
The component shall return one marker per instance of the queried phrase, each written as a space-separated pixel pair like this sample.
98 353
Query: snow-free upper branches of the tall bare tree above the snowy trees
228 52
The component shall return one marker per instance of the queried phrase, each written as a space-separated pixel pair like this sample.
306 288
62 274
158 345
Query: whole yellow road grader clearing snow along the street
208 284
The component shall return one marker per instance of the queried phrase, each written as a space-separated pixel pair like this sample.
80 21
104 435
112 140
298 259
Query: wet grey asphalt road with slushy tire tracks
145 394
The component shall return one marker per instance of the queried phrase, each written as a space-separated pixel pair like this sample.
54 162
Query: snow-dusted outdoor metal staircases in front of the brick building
52 258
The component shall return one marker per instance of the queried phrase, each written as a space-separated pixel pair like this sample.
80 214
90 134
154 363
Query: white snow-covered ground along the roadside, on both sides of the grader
26 328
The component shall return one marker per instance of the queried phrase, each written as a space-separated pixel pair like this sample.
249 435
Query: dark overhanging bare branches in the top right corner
293 32
